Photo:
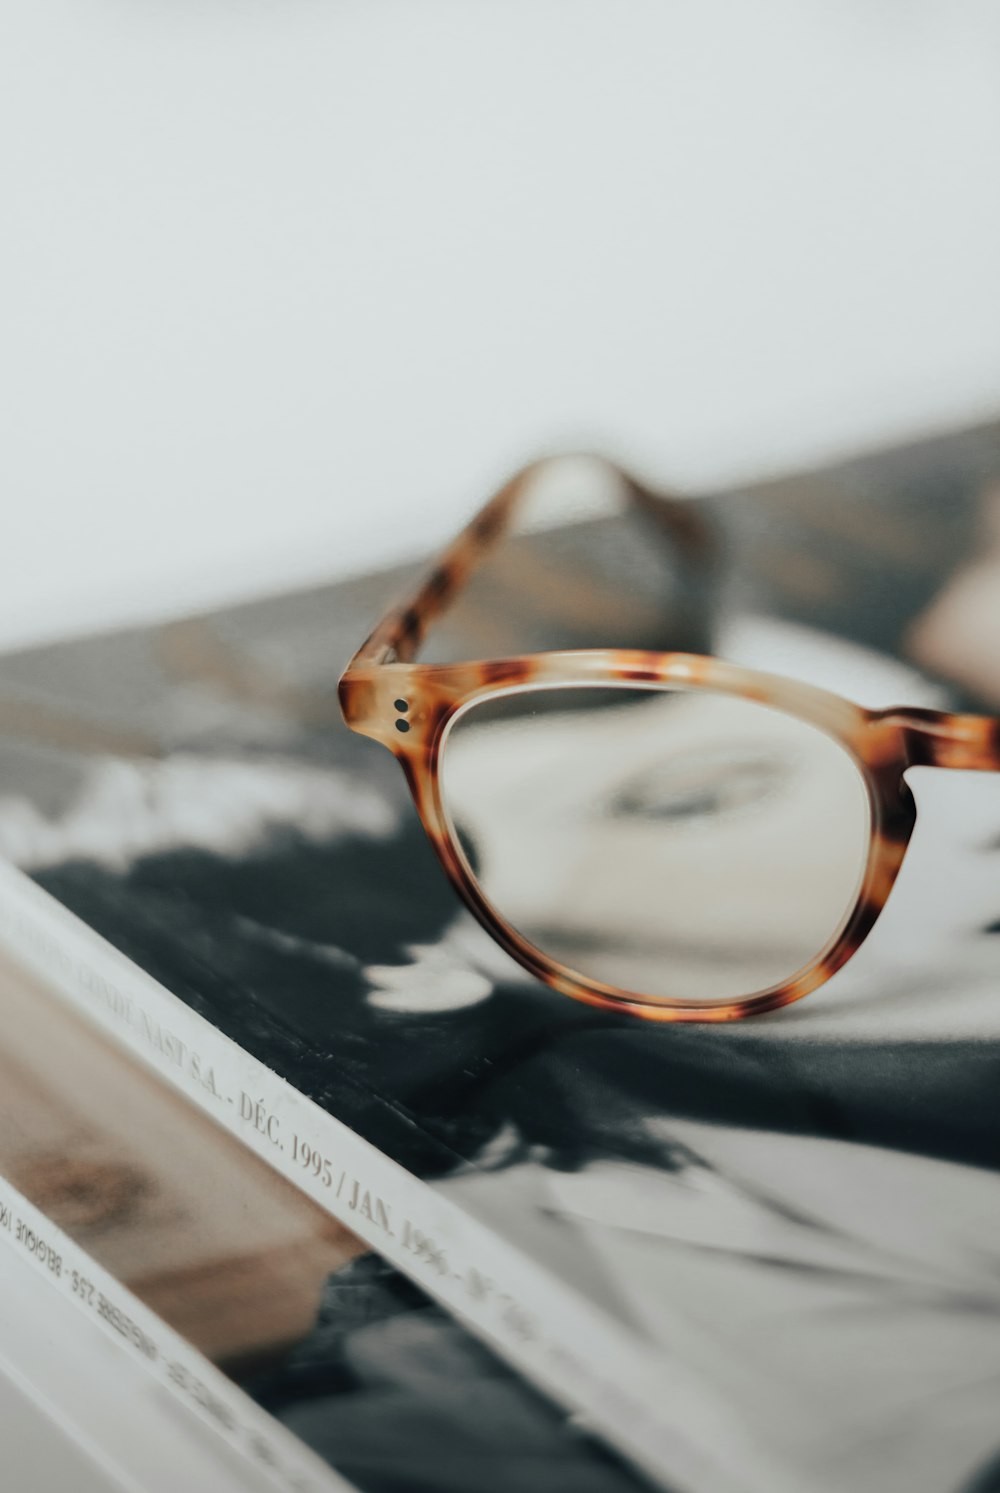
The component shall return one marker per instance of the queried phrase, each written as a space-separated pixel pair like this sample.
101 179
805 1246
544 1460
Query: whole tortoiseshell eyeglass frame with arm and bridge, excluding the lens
408 707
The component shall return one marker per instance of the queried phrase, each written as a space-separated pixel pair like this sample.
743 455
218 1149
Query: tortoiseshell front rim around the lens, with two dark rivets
880 744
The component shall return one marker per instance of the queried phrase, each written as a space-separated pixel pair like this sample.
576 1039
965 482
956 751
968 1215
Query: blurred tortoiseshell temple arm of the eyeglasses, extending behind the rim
401 634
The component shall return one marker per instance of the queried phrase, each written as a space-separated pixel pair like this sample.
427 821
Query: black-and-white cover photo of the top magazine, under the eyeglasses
798 1209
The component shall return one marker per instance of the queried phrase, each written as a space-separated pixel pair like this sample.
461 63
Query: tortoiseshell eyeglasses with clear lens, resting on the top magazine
662 834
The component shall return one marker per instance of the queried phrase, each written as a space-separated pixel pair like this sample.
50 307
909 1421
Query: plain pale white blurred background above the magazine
287 286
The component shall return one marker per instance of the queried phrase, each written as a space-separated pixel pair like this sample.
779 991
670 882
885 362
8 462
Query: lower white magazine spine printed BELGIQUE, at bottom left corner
160 1352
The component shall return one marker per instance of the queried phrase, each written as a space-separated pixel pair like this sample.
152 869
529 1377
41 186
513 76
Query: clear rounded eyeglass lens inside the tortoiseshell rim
671 844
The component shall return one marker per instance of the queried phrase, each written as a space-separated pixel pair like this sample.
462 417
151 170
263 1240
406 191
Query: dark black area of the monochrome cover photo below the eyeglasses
249 944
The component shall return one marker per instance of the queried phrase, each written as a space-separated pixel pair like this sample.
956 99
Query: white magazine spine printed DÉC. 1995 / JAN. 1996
649 1404
